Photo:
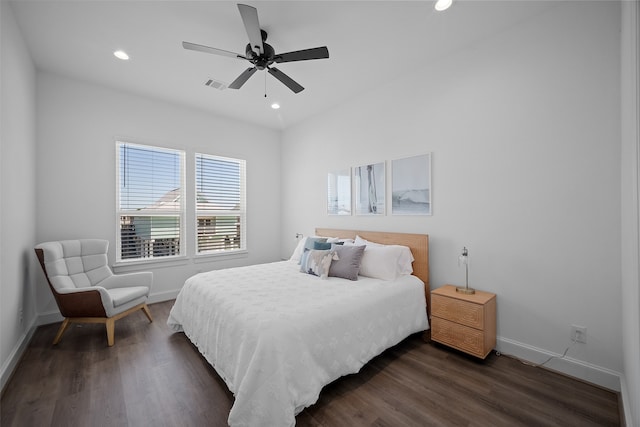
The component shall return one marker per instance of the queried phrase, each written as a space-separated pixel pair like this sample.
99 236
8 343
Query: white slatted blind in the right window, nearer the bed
220 204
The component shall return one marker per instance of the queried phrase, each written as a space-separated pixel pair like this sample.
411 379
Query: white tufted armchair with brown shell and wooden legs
85 288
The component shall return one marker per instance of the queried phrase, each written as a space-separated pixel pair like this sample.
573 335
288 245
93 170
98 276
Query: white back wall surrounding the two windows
77 126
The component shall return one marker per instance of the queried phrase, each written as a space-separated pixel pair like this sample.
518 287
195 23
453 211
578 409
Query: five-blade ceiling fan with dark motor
261 54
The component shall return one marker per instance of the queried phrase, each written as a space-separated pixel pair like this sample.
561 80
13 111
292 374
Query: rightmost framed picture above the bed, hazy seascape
411 185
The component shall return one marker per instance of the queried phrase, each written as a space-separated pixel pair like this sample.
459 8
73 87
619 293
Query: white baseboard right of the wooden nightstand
585 371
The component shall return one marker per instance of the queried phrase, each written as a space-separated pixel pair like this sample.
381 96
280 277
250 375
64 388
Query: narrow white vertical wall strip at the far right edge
630 210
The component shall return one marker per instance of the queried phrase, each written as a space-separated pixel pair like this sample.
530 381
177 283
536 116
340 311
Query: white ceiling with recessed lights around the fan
371 43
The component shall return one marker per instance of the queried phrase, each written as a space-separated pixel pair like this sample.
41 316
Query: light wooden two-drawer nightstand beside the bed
464 322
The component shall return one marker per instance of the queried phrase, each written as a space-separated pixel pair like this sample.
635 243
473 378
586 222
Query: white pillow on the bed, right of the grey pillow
384 259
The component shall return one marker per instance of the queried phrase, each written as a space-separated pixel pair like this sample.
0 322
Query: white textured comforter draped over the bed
277 336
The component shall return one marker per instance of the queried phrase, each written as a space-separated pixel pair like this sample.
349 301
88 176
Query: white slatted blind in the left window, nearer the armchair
150 202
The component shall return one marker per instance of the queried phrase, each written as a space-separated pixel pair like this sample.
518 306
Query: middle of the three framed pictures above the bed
369 184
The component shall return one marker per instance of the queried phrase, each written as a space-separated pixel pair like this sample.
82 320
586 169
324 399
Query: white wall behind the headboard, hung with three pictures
524 130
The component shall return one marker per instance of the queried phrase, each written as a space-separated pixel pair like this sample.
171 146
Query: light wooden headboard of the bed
418 243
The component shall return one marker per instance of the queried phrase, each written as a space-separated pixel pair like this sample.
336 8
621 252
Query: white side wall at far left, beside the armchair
18 193
